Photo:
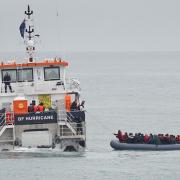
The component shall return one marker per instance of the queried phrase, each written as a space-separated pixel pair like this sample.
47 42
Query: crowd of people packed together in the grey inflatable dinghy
139 138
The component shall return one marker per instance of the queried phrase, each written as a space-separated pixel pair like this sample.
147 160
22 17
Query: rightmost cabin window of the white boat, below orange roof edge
51 73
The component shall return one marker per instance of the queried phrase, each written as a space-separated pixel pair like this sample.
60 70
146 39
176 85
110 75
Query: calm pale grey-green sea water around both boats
134 92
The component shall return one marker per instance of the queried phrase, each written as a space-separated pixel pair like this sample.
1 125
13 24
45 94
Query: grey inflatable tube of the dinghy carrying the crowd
115 144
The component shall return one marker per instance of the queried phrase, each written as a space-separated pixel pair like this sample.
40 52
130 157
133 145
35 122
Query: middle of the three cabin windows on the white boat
25 74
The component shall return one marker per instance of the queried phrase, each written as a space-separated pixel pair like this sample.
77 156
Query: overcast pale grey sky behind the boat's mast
94 25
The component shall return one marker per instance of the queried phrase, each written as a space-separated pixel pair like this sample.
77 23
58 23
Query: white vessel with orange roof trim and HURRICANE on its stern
40 107
